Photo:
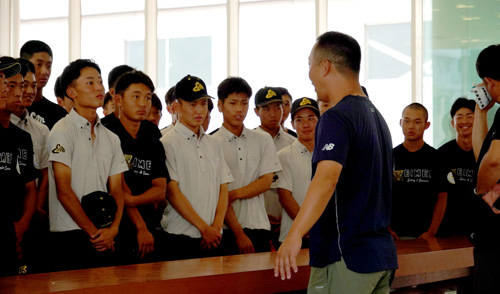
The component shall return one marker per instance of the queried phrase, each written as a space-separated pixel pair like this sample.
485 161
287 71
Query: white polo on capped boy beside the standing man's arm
295 177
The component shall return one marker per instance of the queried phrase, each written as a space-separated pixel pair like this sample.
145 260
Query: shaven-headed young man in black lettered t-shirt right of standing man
417 208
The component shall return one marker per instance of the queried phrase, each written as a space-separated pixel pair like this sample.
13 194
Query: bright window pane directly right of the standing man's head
383 30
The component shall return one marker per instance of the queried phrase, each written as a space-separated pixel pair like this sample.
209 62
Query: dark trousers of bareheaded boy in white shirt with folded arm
261 241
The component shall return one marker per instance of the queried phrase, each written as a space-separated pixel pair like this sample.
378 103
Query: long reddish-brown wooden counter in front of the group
419 261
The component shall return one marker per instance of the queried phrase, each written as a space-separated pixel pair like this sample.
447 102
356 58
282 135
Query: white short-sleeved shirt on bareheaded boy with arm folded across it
249 156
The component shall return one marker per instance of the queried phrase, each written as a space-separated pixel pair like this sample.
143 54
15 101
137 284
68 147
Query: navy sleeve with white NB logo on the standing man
332 138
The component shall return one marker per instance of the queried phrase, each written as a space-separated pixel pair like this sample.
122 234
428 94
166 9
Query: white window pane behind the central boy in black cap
196 44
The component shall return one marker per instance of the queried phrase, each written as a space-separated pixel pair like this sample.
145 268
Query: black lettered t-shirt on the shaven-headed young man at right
415 190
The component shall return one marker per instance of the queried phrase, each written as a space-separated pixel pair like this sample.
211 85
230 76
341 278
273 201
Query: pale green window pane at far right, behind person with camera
455 34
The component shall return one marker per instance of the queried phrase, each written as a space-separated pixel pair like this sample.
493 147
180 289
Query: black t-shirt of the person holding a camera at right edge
486 224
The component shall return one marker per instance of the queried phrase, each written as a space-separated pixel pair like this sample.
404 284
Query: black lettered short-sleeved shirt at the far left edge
16 169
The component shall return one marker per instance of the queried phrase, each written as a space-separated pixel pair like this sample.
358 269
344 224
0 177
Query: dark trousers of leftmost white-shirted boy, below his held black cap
73 250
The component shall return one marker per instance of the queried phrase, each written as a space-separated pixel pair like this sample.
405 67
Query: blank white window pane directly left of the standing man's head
276 38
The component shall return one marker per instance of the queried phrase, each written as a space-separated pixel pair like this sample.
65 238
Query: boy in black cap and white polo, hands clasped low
197 192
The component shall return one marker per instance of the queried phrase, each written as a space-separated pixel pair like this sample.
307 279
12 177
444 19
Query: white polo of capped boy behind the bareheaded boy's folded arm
273 205
